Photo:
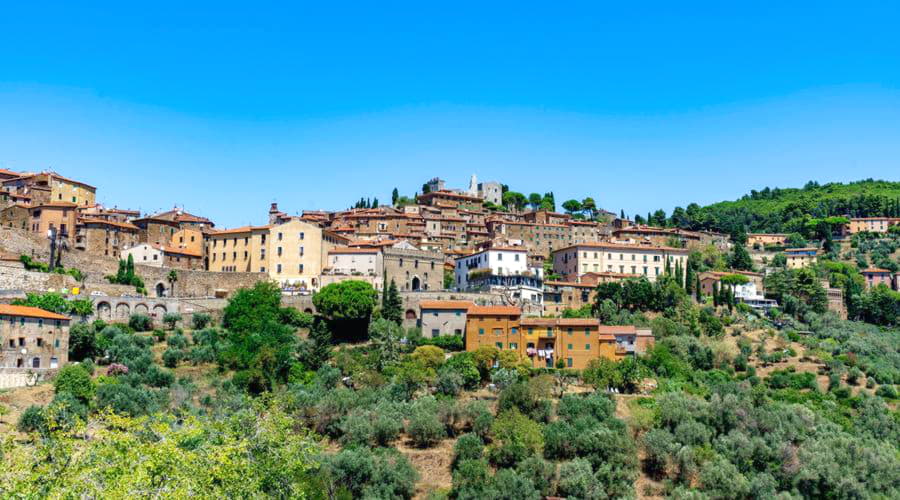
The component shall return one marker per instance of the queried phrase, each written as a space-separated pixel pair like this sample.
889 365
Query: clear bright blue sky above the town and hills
224 108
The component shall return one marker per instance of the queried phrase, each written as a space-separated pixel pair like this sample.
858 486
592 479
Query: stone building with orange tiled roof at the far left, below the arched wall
32 339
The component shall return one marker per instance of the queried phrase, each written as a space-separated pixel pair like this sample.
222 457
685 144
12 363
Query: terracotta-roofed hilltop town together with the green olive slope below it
458 343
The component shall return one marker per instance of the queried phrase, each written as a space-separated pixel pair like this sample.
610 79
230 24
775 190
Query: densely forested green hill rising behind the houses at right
778 210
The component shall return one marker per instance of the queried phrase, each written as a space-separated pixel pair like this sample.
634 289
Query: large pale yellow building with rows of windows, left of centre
293 253
